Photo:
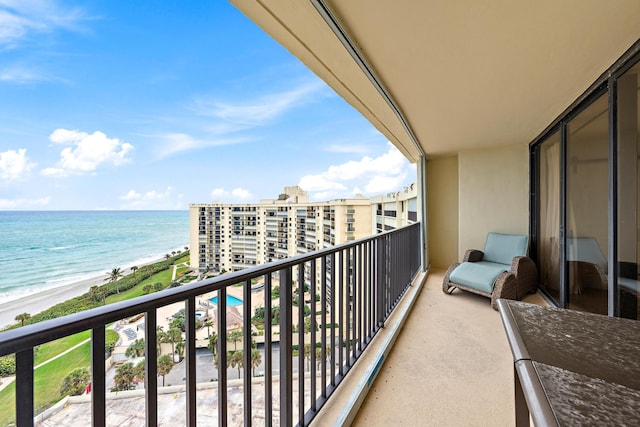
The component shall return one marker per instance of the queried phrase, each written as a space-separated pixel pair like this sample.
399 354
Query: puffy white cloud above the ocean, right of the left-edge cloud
86 152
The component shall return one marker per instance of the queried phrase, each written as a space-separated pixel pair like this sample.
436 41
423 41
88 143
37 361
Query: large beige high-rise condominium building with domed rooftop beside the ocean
230 237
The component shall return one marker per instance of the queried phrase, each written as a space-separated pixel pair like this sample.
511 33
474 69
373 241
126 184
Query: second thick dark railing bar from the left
98 384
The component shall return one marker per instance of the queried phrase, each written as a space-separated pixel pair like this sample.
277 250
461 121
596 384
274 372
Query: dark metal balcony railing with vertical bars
358 285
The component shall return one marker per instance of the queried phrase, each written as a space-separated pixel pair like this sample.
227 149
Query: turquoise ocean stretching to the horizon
41 250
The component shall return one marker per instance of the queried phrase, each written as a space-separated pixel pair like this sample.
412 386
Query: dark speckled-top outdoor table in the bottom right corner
573 368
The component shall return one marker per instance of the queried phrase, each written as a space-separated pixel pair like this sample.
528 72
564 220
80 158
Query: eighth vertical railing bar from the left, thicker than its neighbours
286 364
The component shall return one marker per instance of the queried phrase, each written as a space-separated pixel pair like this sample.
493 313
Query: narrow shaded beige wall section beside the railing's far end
442 210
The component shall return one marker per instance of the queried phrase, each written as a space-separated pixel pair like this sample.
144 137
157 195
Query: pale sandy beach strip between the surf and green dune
44 299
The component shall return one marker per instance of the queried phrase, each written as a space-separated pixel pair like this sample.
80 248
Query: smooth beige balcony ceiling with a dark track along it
466 75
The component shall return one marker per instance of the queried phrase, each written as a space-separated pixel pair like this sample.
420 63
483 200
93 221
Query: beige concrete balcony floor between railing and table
451 365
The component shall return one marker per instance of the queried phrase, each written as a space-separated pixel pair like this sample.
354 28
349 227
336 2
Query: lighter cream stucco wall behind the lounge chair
493 194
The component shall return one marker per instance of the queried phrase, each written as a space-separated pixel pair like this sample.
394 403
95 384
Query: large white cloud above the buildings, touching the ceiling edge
387 172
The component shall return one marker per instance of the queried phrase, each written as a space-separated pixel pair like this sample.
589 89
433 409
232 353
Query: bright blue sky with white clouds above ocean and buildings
119 104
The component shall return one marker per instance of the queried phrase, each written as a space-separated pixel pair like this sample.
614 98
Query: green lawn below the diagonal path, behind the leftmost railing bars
47 381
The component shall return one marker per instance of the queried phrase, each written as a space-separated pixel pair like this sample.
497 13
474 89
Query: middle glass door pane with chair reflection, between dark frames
587 174
